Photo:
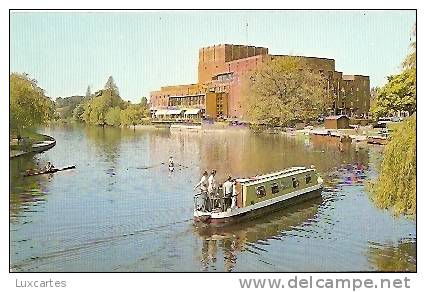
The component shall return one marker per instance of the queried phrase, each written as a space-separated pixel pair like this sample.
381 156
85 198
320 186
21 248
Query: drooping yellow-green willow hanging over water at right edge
395 187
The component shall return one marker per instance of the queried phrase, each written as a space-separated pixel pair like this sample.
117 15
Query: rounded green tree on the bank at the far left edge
29 107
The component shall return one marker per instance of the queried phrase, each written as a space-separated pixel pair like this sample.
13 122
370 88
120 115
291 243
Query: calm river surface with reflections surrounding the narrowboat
113 214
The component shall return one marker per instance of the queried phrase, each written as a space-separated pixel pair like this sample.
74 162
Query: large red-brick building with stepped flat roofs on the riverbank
221 69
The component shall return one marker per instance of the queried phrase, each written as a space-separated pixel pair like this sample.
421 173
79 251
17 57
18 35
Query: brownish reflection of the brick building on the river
242 154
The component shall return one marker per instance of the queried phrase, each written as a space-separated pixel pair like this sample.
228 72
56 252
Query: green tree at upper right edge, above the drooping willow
399 93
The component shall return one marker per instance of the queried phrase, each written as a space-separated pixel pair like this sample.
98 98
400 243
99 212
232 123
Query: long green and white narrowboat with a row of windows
260 195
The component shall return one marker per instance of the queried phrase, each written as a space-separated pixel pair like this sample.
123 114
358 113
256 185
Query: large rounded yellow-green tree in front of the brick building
283 91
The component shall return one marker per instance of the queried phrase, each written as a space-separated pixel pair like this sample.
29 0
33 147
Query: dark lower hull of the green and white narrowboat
258 212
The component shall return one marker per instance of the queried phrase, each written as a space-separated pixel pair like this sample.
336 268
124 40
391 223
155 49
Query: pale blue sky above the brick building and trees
143 50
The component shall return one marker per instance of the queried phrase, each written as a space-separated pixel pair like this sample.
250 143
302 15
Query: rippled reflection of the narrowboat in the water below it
250 235
